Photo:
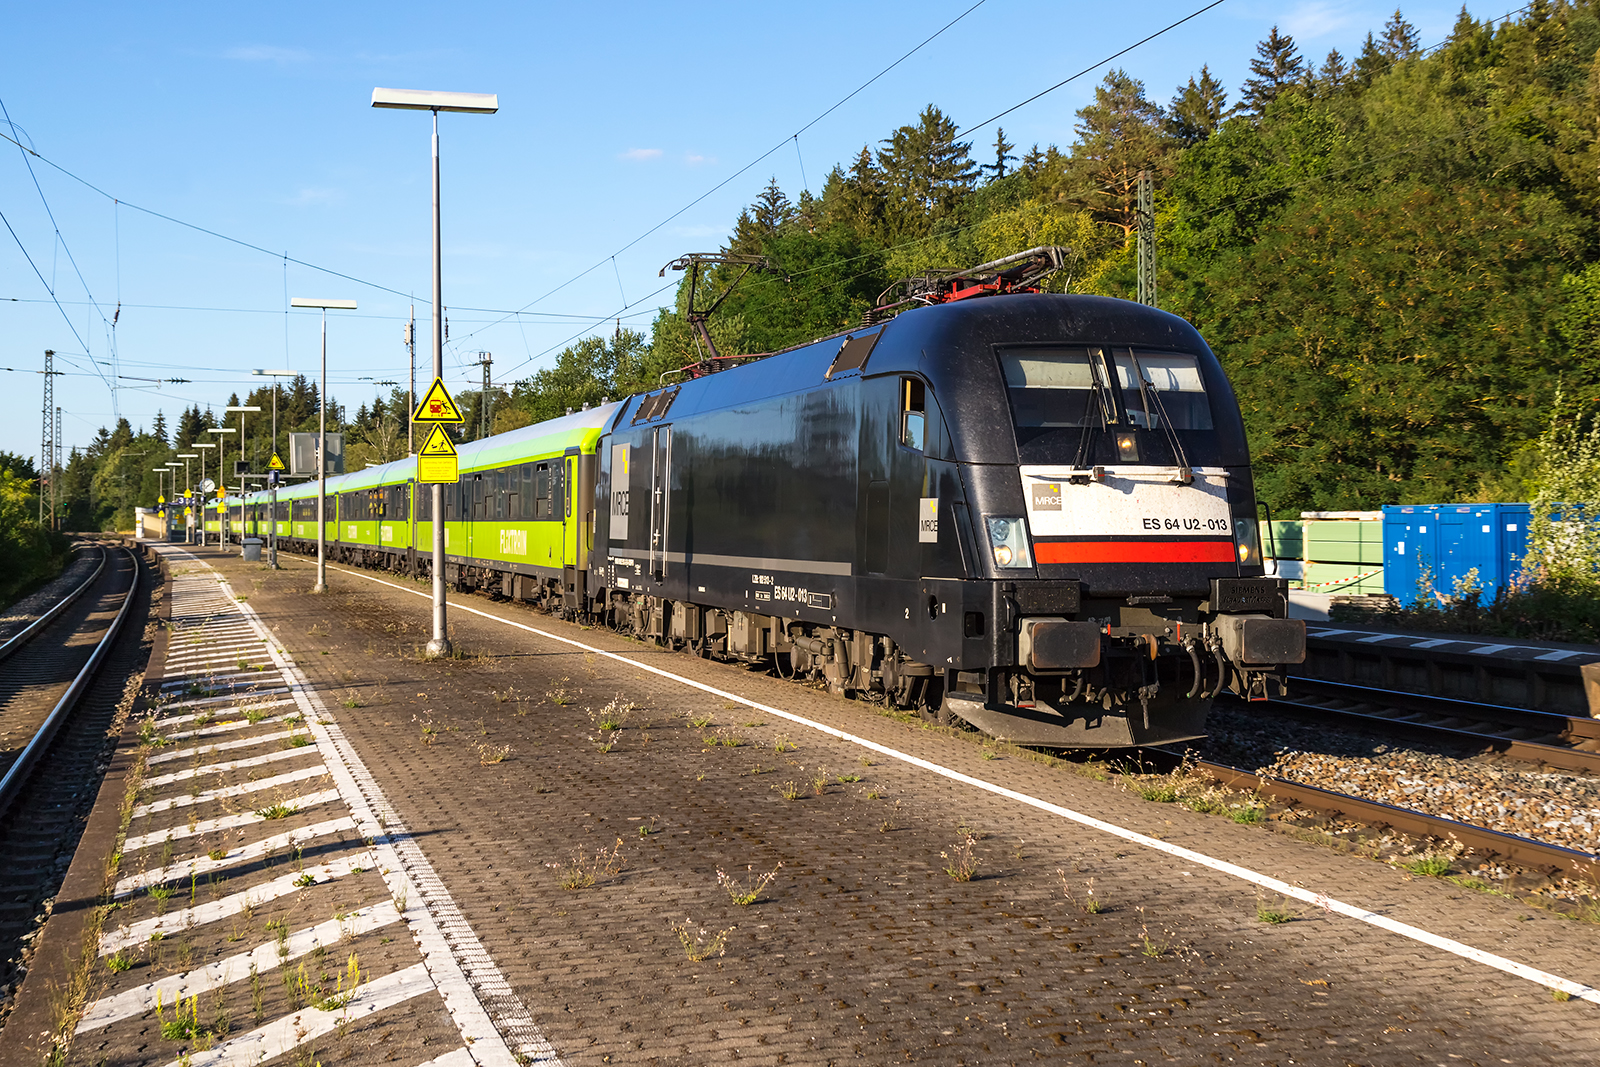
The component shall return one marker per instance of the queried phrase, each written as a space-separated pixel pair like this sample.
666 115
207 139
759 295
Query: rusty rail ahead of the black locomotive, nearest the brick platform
1521 850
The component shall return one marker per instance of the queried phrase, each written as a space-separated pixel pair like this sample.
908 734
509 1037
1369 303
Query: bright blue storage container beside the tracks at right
1449 541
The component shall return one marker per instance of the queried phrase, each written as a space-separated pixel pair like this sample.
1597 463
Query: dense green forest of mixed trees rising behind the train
1396 257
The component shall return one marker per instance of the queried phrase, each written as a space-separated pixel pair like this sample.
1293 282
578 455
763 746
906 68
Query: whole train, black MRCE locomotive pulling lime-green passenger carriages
1031 513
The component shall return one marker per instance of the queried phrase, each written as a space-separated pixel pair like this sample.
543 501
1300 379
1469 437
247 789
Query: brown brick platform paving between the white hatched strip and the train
863 948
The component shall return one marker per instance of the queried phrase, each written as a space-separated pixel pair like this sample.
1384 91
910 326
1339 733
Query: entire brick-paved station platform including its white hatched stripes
567 807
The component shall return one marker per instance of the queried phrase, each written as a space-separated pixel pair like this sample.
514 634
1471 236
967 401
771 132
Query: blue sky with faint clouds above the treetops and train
257 124
